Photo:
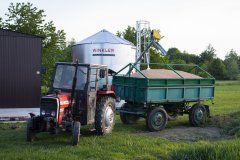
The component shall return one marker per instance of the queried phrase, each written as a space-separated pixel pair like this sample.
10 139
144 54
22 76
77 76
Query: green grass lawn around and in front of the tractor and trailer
126 143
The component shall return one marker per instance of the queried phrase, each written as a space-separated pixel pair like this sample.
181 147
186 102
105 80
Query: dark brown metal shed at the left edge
20 67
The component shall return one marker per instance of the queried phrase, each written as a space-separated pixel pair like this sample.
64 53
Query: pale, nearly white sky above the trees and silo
189 25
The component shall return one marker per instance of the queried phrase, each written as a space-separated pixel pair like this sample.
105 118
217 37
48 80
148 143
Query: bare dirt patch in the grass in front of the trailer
185 133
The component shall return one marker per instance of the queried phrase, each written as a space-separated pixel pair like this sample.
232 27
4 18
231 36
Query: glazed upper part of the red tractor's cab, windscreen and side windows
88 76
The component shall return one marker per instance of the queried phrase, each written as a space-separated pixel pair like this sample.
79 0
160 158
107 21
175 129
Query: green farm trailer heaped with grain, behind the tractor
163 98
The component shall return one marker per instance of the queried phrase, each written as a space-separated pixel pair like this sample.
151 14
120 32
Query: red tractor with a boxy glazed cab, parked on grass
80 95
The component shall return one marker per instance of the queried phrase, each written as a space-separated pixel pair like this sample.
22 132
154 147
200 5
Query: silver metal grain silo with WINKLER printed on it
105 48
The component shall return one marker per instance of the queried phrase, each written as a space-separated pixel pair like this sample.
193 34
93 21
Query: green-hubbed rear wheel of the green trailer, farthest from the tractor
197 115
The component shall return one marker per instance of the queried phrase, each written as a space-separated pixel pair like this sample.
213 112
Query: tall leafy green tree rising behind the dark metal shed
25 18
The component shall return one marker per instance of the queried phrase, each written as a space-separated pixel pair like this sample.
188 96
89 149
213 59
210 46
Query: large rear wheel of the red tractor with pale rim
105 115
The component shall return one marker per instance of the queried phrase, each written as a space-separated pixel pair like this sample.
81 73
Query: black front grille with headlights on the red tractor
49 107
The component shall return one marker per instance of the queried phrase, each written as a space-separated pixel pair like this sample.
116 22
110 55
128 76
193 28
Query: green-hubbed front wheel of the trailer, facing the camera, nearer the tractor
156 119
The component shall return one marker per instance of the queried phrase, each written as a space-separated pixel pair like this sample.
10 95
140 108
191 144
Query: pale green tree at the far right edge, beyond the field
231 63
